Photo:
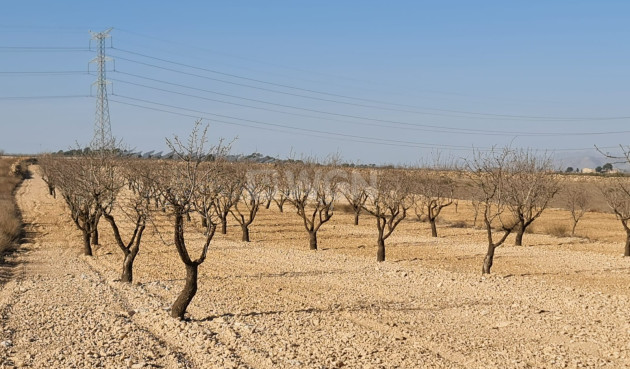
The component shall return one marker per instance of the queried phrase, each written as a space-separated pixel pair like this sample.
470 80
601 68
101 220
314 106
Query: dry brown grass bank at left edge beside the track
10 225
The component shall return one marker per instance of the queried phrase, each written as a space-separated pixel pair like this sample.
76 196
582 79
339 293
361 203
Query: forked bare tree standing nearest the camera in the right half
487 171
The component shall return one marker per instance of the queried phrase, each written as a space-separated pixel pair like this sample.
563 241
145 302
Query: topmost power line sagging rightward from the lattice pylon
480 114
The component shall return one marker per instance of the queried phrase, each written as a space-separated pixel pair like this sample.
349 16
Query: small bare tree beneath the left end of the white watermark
250 198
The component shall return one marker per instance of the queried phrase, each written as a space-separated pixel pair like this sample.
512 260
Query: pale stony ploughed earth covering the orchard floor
271 303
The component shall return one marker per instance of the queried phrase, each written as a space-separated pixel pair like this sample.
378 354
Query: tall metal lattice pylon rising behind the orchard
103 139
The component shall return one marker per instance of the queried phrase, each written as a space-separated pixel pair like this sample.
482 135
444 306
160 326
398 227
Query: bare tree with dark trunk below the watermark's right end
388 201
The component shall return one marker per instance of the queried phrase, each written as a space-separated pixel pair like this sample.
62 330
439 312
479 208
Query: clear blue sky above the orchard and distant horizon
376 81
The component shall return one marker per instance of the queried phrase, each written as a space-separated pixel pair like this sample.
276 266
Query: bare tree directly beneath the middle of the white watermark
313 194
